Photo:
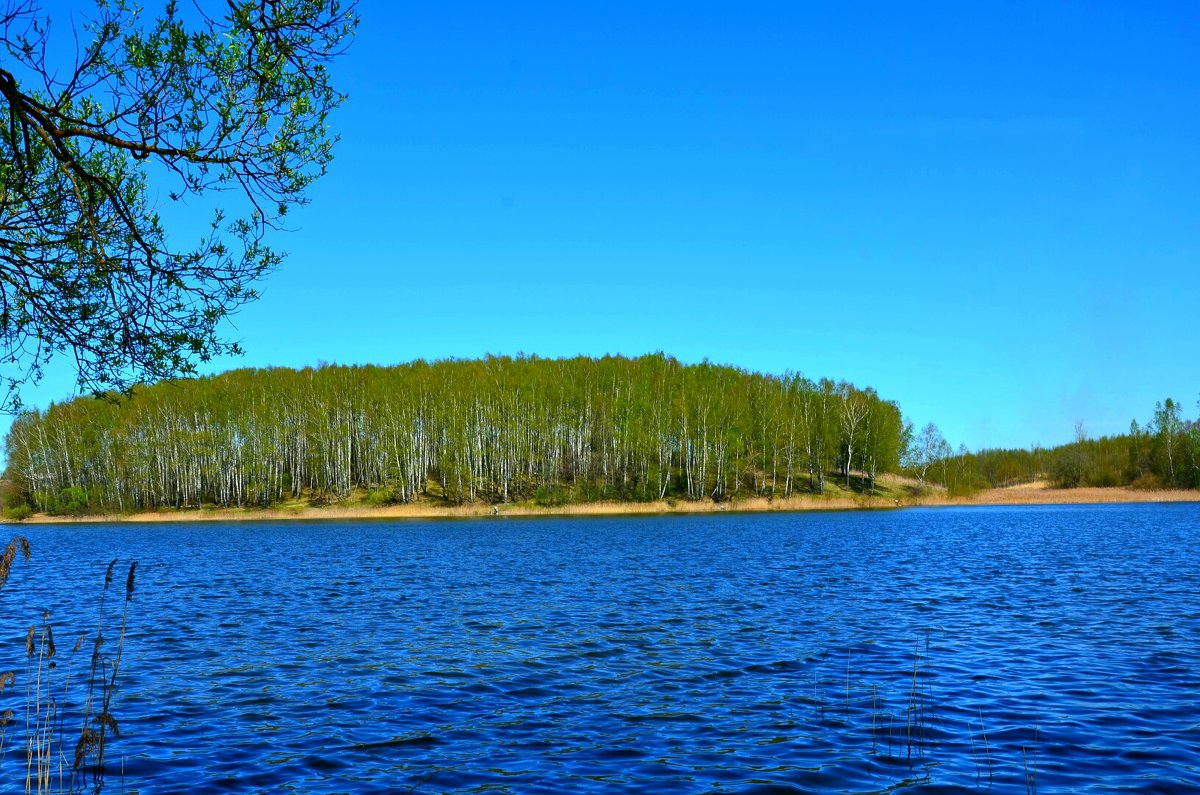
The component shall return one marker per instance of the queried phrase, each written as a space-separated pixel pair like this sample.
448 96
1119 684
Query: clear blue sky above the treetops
989 212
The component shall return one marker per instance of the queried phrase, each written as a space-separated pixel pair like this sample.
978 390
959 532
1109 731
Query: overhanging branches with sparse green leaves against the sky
182 105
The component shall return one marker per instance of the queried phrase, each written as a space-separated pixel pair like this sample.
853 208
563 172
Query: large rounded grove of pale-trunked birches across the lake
497 429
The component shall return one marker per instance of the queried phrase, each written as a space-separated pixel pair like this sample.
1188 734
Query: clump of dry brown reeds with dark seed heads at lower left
58 760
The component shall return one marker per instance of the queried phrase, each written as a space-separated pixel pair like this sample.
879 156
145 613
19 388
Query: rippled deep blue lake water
1007 650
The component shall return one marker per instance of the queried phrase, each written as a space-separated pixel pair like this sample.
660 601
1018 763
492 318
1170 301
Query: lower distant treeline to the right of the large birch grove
1163 453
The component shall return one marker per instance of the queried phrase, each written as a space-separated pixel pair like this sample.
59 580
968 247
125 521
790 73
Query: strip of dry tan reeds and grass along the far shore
1025 495
